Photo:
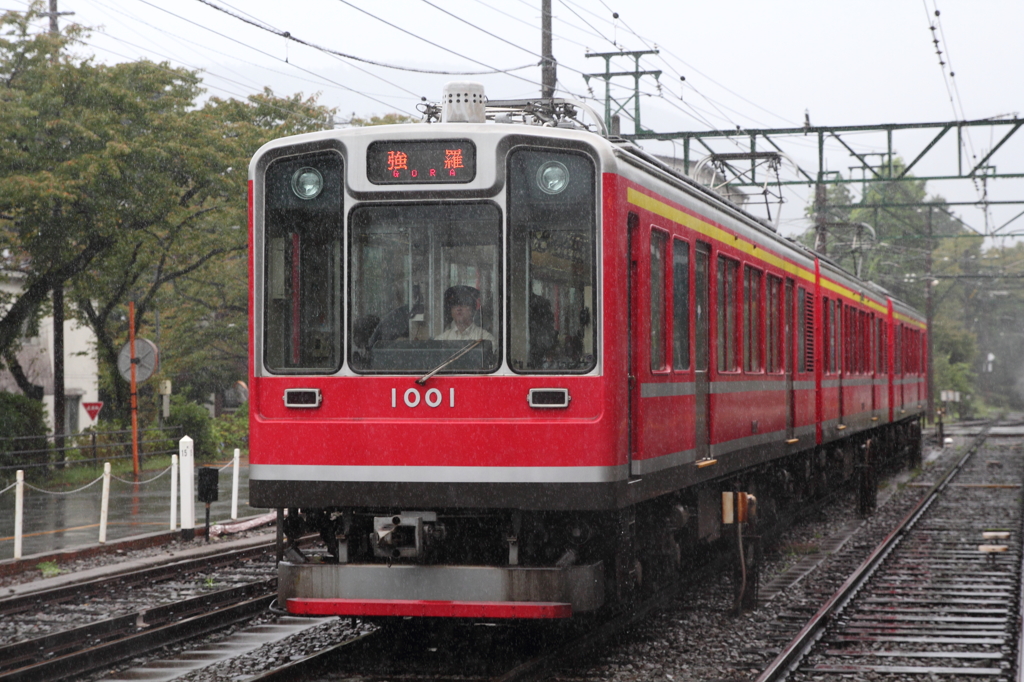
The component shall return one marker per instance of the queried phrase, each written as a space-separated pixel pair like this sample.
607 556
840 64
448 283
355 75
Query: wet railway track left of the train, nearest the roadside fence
68 631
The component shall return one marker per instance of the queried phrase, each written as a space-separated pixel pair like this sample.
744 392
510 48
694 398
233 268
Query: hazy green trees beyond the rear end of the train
926 248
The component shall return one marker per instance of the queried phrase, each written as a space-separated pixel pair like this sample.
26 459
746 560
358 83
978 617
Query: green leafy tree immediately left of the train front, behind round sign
191 268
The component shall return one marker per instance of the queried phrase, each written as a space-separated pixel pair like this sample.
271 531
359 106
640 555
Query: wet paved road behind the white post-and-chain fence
56 523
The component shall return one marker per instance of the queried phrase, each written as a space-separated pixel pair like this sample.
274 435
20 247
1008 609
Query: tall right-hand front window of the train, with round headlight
552 314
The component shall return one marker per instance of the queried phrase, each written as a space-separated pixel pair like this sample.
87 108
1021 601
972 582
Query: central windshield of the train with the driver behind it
425 286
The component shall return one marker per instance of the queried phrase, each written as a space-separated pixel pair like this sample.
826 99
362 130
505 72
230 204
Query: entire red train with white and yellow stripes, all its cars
506 366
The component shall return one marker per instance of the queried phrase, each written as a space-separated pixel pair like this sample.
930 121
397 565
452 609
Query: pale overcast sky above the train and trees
747 64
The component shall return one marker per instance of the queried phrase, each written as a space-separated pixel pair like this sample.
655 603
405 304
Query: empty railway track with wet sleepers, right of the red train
941 598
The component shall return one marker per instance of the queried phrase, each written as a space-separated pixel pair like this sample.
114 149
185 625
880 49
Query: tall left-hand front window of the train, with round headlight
303 269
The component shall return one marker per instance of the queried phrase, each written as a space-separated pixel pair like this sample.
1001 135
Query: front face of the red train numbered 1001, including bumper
432 390
